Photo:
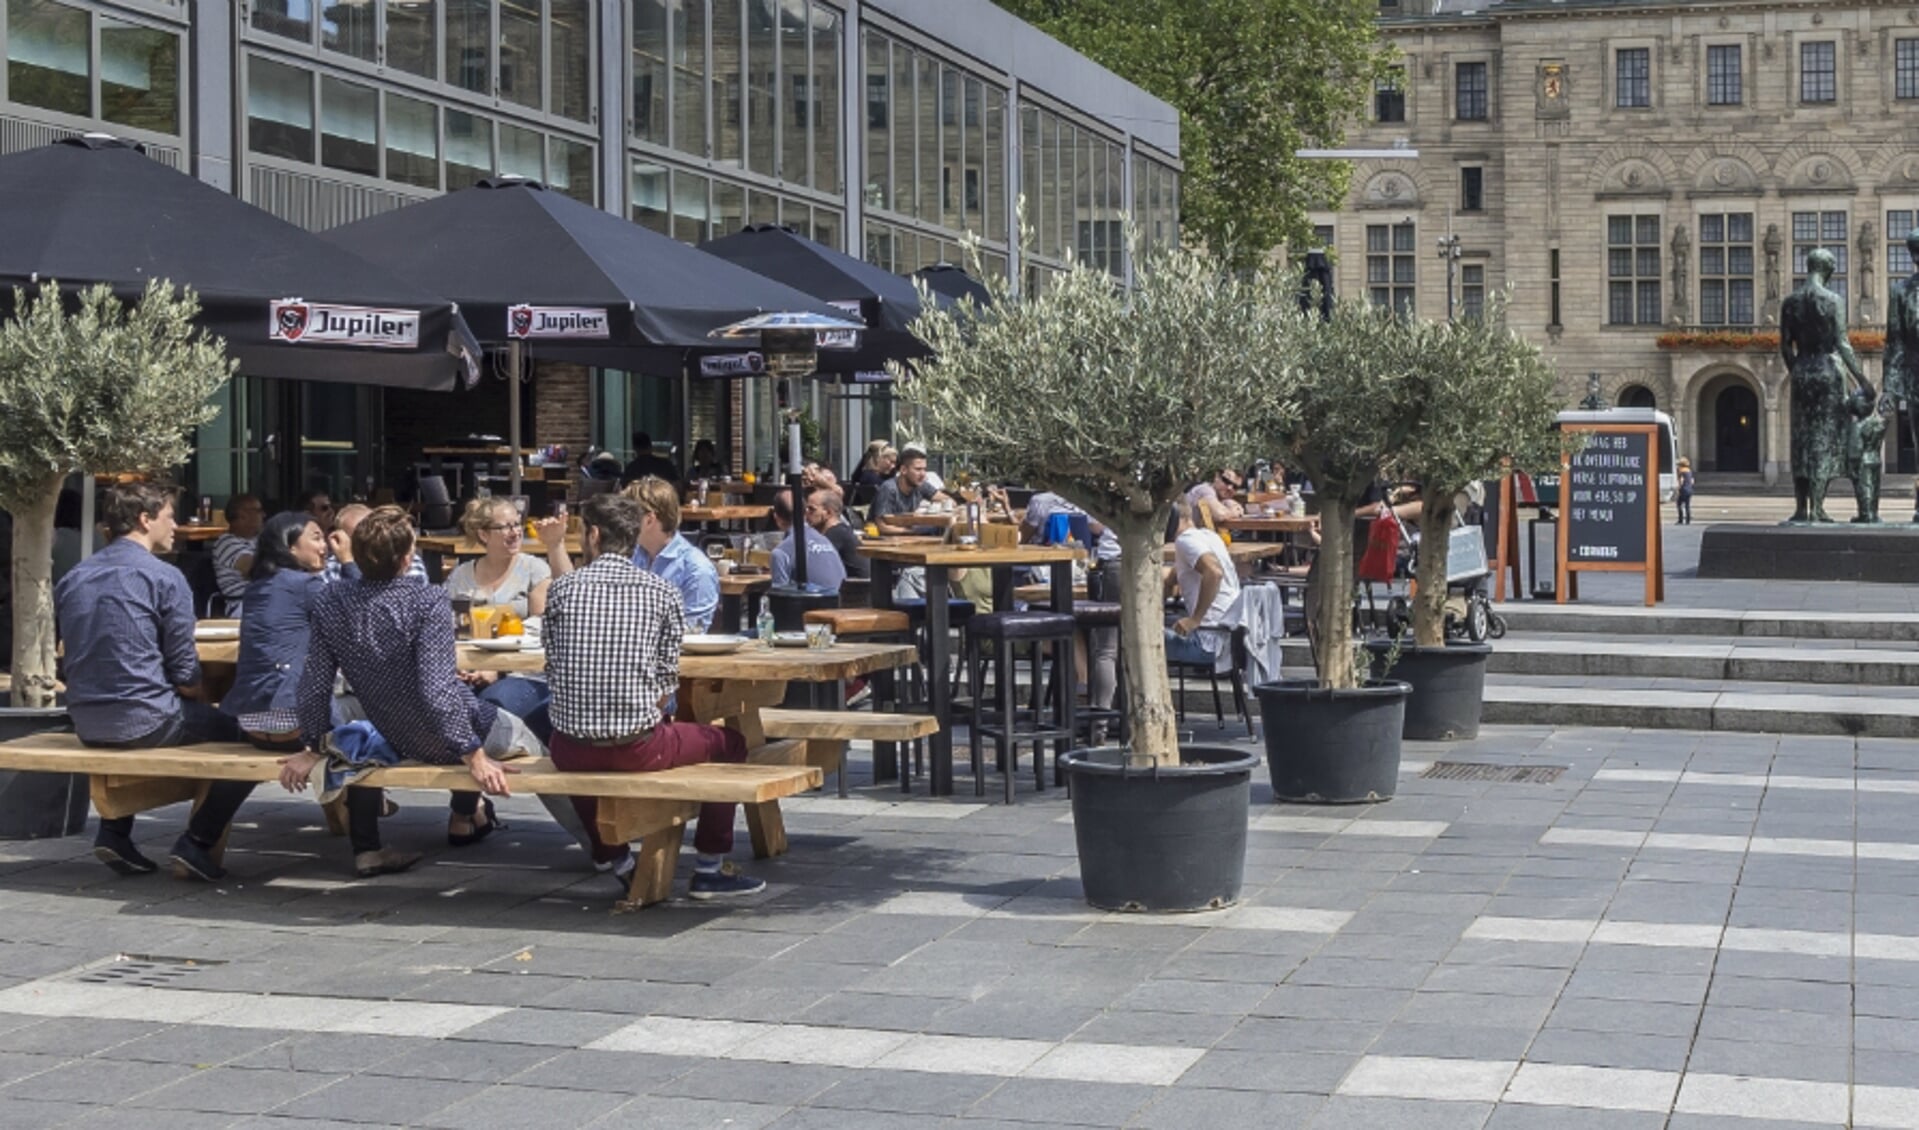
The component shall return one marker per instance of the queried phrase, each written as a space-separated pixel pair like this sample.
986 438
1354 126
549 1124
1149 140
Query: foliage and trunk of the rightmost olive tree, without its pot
1490 398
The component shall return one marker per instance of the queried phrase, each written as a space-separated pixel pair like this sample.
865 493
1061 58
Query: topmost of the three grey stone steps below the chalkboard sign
1532 617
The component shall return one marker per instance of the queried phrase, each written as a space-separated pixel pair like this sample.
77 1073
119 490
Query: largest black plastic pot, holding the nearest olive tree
1162 839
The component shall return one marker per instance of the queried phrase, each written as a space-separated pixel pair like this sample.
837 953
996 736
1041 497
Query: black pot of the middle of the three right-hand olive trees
1333 747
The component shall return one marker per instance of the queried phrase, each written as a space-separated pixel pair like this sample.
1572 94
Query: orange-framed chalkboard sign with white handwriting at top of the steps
1611 509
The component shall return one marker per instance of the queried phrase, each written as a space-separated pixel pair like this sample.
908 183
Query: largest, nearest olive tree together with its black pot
1120 402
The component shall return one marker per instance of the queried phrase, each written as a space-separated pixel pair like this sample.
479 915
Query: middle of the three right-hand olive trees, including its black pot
1358 392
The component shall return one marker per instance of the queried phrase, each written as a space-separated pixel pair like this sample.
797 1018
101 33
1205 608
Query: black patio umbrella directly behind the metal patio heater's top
884 300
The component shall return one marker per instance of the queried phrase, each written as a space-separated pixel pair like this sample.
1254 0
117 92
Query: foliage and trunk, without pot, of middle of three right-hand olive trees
1356 394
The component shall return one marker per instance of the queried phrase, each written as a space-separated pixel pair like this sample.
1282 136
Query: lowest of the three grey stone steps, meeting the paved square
1734 709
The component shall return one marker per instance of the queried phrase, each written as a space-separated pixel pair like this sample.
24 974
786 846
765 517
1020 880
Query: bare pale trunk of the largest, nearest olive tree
1143 642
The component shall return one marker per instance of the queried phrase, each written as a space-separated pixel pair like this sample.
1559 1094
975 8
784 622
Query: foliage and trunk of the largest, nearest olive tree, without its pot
1118 402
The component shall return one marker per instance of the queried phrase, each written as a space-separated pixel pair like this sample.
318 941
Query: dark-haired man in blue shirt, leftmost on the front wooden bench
133 674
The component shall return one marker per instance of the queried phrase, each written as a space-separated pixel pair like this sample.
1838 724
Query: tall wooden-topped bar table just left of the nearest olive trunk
939 561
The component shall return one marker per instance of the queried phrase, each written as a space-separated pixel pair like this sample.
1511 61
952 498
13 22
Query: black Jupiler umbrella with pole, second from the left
538 268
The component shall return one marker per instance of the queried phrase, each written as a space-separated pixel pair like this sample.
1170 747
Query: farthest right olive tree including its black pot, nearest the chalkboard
1490 398
